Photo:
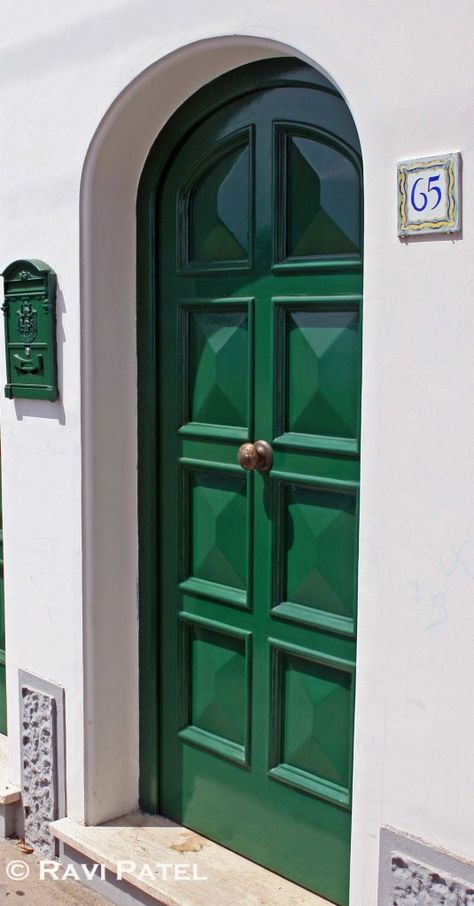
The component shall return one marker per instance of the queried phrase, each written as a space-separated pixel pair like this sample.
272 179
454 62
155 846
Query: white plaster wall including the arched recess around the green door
83 93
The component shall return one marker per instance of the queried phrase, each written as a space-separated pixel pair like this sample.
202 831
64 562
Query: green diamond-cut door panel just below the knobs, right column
316 549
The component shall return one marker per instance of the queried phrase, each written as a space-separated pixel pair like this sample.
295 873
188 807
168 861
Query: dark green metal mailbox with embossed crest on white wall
30 330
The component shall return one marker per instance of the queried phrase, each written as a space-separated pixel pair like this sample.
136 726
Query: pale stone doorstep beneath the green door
147 840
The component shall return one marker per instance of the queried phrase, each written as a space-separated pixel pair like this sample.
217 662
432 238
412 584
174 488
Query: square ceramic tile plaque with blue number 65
429 197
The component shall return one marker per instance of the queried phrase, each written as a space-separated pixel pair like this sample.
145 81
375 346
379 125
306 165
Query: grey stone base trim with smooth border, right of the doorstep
412 873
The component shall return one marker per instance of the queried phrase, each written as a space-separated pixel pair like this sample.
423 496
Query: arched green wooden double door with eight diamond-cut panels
259 306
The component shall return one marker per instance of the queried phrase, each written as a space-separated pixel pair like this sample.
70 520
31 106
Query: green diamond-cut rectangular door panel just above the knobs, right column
318 375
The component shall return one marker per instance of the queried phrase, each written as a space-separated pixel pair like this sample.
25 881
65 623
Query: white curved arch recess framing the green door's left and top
110 180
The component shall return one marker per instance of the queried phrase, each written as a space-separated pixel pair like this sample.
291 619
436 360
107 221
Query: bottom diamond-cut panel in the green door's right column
311 741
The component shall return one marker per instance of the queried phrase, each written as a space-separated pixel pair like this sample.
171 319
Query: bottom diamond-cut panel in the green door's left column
215 685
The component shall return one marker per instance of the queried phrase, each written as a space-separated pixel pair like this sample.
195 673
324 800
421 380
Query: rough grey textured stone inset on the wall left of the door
38 717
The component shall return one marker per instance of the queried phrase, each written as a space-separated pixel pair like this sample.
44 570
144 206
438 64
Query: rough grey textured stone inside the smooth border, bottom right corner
414 884
